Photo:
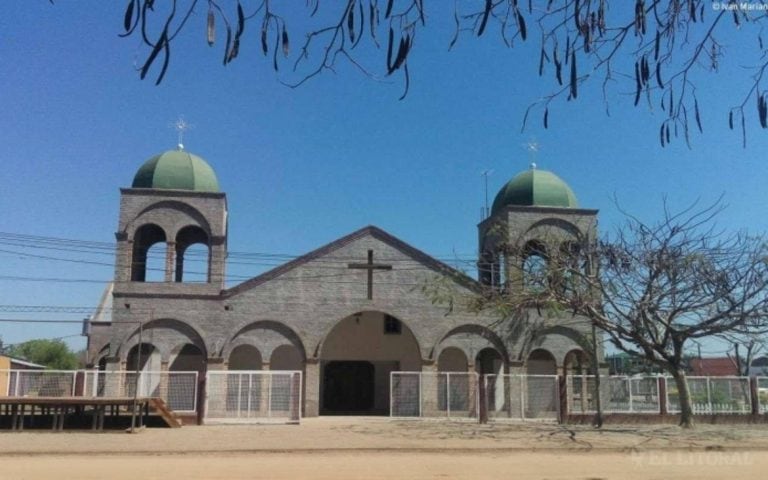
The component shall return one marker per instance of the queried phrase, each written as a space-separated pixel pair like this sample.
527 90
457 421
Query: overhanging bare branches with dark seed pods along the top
653 52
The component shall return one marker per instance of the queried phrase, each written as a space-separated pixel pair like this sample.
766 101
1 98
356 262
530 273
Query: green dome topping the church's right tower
538 188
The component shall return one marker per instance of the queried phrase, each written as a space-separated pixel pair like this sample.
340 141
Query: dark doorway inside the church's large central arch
348 387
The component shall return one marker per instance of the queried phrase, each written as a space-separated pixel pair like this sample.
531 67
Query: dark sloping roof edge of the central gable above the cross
372 231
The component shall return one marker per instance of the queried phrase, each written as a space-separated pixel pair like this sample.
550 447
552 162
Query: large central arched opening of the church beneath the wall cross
357 357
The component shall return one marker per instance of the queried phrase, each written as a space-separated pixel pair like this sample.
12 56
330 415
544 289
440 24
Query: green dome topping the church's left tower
176 170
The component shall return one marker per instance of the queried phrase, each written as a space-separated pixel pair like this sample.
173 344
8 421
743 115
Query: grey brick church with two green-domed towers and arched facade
346 314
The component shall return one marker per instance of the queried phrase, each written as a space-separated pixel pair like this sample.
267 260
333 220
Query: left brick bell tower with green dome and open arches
172 230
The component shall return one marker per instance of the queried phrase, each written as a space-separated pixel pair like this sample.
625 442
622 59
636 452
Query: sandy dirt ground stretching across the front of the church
351 448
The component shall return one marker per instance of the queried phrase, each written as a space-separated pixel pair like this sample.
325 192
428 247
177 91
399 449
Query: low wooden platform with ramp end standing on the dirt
20 409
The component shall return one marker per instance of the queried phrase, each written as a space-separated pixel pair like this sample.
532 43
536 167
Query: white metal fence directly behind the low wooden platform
177 389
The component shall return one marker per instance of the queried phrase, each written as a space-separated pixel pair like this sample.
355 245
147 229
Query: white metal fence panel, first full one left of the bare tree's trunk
618 394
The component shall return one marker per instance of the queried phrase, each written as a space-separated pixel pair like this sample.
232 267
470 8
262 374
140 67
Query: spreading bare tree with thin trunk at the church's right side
653 289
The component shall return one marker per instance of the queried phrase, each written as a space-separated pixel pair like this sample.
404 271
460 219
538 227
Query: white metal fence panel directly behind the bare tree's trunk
712 395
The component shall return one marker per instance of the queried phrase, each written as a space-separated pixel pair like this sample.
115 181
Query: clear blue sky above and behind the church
302 167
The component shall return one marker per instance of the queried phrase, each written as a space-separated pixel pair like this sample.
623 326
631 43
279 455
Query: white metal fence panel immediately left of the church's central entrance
253 396
